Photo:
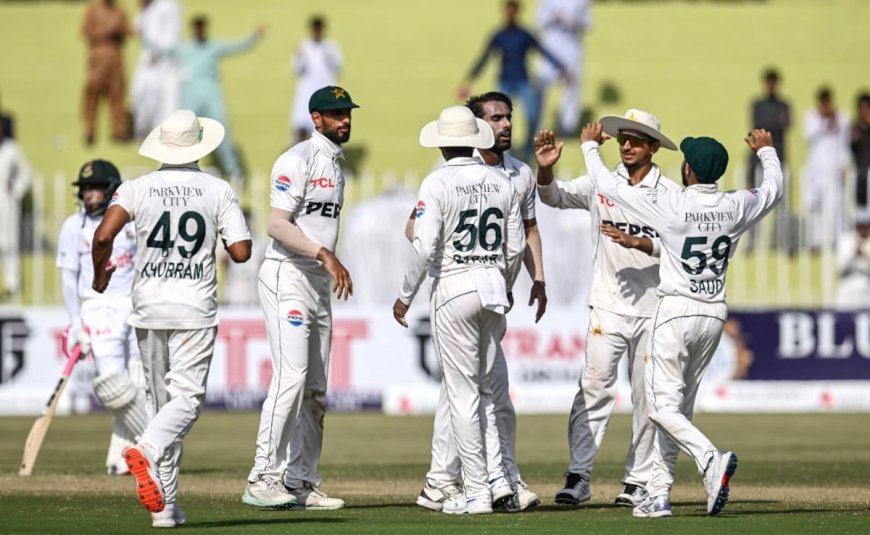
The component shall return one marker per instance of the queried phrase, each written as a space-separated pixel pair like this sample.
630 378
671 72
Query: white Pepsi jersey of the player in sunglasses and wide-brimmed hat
624 281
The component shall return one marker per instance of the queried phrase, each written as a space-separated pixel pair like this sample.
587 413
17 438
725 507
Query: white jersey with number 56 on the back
467 217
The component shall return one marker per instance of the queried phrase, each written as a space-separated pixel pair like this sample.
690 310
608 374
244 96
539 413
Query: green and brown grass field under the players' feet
797 474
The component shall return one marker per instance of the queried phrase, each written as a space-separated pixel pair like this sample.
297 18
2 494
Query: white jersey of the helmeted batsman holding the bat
74 254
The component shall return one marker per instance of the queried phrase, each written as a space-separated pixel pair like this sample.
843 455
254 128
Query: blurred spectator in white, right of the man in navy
562 24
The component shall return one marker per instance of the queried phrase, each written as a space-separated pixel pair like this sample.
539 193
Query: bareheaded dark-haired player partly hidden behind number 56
509 490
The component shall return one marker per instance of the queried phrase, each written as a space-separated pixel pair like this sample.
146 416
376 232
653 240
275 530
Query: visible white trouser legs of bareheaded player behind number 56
446 466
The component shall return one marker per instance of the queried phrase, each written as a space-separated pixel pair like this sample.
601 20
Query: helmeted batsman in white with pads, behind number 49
98 322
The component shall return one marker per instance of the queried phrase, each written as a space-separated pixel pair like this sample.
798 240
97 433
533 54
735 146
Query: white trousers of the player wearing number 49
176 364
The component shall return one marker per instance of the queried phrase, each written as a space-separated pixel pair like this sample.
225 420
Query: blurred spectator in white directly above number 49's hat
155 86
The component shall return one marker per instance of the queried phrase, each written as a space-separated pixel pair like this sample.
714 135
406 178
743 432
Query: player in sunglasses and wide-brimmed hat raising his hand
622 301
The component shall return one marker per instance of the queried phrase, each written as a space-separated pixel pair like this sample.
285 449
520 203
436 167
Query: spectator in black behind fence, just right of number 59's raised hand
771 113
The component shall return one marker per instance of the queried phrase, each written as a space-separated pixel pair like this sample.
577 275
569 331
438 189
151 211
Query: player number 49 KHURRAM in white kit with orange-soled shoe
179 212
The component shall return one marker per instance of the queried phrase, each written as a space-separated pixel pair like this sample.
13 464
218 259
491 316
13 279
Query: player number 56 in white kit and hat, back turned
468 234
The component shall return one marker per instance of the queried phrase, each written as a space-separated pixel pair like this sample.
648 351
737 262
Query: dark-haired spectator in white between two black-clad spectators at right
826 131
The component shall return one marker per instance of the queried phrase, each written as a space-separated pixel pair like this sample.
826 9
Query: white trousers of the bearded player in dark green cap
298 314
